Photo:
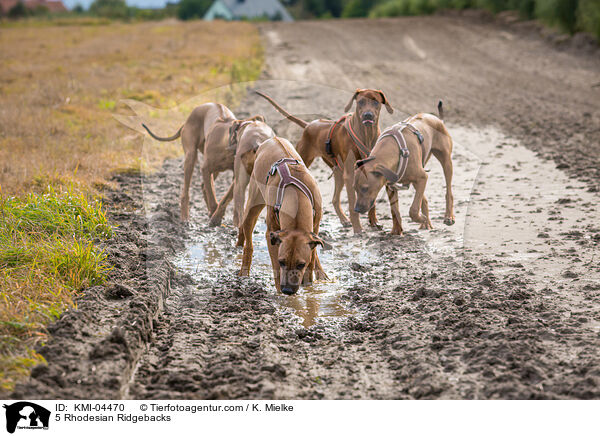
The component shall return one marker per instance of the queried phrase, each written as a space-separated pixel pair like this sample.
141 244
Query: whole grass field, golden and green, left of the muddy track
60 88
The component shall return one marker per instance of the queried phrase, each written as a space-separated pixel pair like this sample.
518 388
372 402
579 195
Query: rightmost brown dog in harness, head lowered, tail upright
398 158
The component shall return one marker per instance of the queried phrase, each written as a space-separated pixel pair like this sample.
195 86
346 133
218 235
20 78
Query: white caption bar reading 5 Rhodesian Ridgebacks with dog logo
285 418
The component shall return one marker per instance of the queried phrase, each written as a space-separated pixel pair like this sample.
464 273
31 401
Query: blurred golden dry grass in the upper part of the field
61 85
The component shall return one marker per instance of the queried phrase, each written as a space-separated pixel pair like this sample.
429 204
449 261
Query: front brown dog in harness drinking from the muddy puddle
281 182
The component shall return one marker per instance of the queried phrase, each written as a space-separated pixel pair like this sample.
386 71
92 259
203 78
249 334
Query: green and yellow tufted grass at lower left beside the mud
47 255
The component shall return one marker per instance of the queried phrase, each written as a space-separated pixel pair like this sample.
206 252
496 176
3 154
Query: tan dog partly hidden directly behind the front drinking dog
247 137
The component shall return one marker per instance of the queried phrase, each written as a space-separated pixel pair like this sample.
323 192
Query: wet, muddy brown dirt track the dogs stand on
505 304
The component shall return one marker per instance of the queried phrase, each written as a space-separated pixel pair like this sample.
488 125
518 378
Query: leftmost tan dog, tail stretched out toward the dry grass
207 130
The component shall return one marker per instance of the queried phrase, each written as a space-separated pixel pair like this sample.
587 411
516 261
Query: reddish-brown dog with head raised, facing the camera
341 143
